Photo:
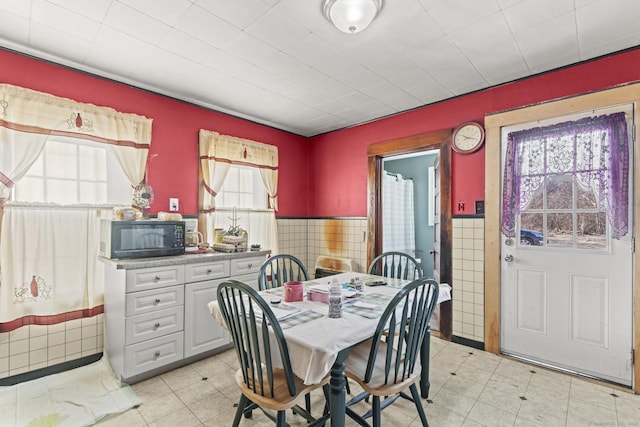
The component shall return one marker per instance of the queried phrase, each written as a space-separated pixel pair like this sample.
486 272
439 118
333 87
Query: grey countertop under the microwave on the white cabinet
131 264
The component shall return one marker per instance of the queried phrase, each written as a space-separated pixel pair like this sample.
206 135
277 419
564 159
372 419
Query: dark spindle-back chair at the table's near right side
385 368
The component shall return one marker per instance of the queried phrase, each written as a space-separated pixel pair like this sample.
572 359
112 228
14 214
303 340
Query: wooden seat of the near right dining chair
356 366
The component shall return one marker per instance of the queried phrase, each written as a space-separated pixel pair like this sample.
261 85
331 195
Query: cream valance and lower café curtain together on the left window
48 265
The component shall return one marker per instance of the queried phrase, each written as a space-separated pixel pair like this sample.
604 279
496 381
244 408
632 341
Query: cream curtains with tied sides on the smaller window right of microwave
217 154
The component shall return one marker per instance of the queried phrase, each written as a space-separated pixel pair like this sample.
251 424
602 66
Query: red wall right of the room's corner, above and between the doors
339 159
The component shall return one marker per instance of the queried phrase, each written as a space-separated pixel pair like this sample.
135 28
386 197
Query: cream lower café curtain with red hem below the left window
53 248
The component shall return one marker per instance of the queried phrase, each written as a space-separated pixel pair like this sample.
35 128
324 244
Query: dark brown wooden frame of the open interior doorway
438 140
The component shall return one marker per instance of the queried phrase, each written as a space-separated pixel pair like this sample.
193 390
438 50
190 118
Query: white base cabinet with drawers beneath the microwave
156 317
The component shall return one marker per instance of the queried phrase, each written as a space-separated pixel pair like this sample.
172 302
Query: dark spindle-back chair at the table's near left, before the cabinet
258 341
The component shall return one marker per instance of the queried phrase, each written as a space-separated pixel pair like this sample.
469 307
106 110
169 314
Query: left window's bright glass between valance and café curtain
74 171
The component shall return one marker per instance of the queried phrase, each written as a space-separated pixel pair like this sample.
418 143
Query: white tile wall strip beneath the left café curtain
37 346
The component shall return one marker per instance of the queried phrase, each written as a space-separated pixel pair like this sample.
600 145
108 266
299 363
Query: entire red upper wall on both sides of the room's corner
321 176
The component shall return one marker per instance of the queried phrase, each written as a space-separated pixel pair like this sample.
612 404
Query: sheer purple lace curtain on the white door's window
593 150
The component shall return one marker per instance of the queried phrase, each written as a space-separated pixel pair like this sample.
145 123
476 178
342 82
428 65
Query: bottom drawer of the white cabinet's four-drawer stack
145 356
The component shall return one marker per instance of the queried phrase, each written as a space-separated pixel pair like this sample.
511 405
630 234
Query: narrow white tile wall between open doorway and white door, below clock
468 278
